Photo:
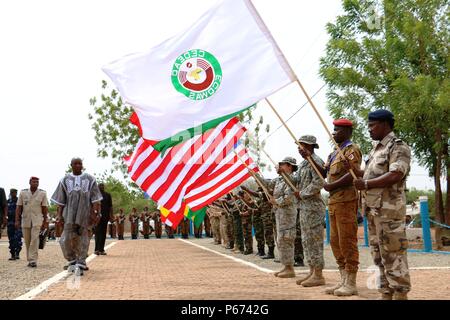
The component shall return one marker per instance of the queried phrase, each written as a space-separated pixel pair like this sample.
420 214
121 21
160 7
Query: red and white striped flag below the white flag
190 167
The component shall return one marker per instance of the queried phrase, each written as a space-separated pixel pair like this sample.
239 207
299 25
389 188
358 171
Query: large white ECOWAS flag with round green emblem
224 63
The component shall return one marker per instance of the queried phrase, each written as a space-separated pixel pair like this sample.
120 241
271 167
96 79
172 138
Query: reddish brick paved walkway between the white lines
172 269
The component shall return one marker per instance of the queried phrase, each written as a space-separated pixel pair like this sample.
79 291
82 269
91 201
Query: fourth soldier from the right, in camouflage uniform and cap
286 212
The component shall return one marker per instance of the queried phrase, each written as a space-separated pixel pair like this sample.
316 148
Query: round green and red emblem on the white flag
196 74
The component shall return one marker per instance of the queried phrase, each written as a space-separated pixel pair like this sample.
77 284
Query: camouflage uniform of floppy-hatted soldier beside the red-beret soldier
312 213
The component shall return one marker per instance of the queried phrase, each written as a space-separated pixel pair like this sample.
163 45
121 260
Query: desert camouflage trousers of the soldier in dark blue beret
388 245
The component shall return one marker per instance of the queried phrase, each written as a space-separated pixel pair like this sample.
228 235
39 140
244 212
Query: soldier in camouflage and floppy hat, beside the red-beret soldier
312 212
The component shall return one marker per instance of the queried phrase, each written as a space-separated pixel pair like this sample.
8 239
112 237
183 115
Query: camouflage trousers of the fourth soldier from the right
286 231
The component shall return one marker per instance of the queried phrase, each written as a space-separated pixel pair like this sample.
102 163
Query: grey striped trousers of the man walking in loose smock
74 243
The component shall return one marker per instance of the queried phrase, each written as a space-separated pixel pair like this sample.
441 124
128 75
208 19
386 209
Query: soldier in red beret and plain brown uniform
343 208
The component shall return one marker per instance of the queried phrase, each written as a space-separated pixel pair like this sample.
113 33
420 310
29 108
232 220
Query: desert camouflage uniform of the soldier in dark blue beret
386 211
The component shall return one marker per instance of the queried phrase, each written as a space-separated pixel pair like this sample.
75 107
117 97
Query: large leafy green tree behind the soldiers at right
394 54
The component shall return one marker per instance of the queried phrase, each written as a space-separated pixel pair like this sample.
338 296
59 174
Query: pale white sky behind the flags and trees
50 59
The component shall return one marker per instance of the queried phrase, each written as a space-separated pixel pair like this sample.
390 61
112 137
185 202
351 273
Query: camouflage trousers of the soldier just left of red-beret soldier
312 237
